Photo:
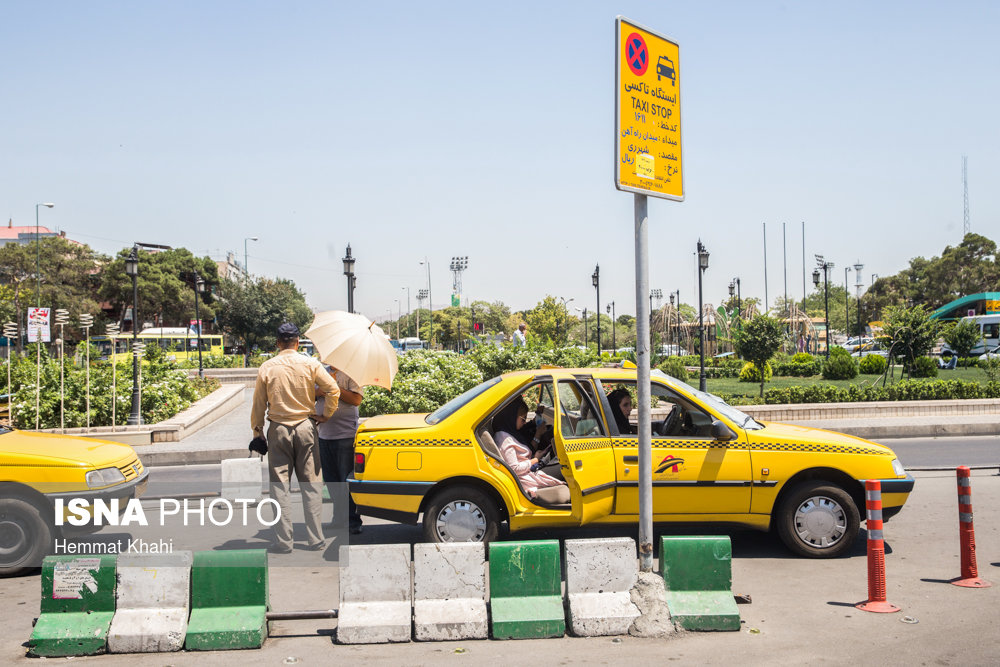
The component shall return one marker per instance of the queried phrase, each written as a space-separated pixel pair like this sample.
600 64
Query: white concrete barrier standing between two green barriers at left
152 603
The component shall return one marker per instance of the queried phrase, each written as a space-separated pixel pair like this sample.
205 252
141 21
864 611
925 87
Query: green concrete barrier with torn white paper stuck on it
78 603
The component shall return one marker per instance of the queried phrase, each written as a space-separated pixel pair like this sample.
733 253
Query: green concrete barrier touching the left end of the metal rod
229 600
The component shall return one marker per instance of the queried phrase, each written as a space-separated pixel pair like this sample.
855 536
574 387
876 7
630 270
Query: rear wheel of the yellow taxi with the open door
461 514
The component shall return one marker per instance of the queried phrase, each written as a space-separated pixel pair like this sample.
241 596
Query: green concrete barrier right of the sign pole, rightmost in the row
697 572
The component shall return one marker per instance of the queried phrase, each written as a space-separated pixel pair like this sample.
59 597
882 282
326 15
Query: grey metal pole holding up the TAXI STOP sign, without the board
642 351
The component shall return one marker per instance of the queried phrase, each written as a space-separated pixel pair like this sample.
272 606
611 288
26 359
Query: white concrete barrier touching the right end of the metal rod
375 600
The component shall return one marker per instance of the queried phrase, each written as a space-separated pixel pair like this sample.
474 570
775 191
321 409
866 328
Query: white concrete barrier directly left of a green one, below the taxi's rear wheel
449 591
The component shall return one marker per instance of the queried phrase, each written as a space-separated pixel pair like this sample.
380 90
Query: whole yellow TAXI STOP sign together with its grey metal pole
647 163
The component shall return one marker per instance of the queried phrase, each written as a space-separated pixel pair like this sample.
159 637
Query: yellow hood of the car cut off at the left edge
60 450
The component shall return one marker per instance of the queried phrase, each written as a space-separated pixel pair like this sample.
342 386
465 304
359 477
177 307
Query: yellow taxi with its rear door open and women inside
712 463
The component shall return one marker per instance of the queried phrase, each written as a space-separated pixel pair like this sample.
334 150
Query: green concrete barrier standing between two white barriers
526 590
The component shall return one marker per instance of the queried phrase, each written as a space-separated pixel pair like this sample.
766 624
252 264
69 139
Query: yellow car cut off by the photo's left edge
36 469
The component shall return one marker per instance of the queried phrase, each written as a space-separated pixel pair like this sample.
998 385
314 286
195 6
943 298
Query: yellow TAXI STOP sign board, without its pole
647 112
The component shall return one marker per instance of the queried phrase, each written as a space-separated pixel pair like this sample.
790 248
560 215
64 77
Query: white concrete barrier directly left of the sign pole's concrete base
599 575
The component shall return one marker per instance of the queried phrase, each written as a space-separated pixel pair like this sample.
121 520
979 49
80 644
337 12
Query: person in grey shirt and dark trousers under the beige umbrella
336 443
